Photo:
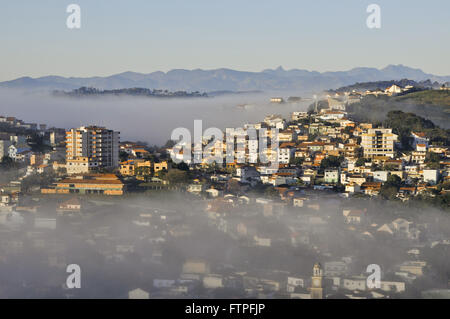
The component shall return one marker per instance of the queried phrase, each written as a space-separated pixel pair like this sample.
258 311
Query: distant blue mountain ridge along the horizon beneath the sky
228 80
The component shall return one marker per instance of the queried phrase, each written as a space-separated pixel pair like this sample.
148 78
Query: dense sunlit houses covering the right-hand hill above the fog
363 158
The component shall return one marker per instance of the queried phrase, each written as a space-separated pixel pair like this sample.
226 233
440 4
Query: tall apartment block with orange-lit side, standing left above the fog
90 148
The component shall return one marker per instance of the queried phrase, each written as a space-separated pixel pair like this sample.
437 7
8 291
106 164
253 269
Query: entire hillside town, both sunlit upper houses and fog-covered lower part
343 190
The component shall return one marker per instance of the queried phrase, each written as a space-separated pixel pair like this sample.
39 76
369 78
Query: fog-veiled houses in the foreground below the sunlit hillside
261 226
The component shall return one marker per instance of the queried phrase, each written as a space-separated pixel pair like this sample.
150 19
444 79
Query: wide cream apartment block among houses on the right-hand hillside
378 142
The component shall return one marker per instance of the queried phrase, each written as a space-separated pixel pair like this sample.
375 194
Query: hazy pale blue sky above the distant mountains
149 35
